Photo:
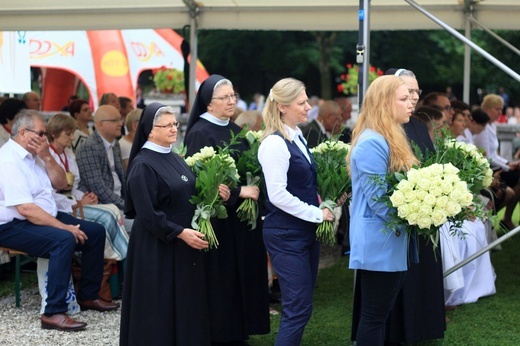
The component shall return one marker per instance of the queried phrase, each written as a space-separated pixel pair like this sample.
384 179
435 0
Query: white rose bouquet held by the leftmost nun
211 169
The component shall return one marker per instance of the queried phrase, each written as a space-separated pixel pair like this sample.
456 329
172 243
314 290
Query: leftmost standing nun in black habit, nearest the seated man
164 295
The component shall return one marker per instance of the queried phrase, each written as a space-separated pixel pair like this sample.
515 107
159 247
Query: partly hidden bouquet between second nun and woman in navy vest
249 166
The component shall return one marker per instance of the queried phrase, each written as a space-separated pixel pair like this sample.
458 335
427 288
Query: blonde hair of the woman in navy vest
284 92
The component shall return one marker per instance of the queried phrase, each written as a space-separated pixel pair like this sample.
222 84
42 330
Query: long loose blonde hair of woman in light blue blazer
379 114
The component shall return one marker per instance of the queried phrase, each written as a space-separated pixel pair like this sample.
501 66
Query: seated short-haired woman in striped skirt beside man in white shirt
60 131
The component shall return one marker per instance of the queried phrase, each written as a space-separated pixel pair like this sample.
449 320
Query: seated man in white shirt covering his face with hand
30 222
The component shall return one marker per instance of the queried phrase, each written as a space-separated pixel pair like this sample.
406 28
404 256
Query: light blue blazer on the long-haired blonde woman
372 245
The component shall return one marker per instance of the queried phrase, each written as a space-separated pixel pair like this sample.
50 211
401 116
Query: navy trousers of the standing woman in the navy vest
295 256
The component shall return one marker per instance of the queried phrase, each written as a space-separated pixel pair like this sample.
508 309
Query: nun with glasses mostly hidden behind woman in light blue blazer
418 313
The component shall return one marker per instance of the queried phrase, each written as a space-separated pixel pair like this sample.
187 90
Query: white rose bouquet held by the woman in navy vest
333 181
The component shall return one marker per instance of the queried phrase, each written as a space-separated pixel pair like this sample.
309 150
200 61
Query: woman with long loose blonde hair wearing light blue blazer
380 255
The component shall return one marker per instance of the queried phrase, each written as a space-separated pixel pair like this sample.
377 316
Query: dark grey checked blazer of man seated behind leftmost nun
95 173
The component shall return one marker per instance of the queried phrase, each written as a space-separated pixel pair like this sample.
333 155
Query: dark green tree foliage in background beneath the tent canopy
255 60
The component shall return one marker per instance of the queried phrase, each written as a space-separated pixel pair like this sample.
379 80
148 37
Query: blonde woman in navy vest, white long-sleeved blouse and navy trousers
292 205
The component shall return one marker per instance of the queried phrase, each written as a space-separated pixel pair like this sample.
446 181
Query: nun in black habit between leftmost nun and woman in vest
236 271
